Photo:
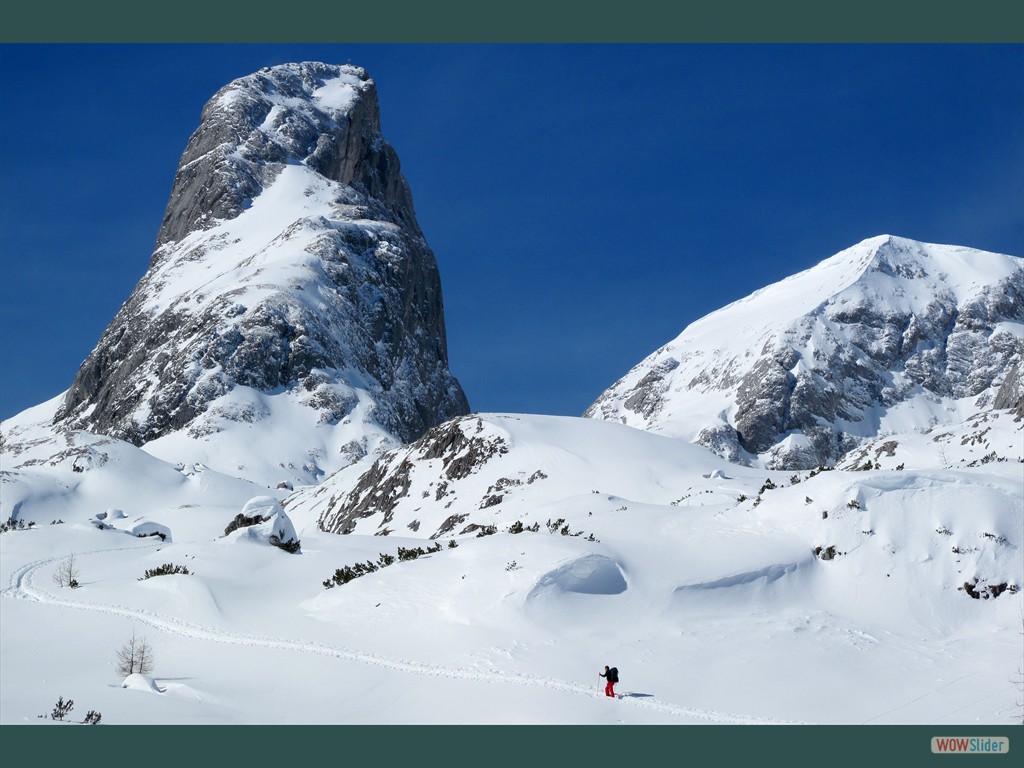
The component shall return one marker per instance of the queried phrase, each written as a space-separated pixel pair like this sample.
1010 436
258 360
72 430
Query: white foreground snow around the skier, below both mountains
715 611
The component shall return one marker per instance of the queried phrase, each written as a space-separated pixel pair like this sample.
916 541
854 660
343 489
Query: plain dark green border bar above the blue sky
522 21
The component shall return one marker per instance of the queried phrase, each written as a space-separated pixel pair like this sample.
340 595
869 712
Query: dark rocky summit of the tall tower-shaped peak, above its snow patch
323 116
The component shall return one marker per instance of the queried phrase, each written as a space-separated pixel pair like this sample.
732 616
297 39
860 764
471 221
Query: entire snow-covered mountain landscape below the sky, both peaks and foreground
437 567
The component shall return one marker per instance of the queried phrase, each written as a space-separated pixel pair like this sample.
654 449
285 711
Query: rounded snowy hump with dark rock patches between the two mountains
496 471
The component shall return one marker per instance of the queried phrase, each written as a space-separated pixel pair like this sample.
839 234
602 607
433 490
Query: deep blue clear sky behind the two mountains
585 202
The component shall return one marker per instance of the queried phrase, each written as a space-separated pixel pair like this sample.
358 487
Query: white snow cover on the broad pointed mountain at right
702 369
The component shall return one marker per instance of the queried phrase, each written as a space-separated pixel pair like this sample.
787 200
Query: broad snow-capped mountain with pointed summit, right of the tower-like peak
890 335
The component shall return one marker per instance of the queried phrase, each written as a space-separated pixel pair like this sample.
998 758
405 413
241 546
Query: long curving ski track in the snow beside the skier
22 586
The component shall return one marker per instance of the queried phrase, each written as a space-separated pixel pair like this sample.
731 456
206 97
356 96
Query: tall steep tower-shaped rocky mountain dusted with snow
291 319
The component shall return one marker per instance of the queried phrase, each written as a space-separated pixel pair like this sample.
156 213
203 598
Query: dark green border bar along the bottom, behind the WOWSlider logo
794 747
